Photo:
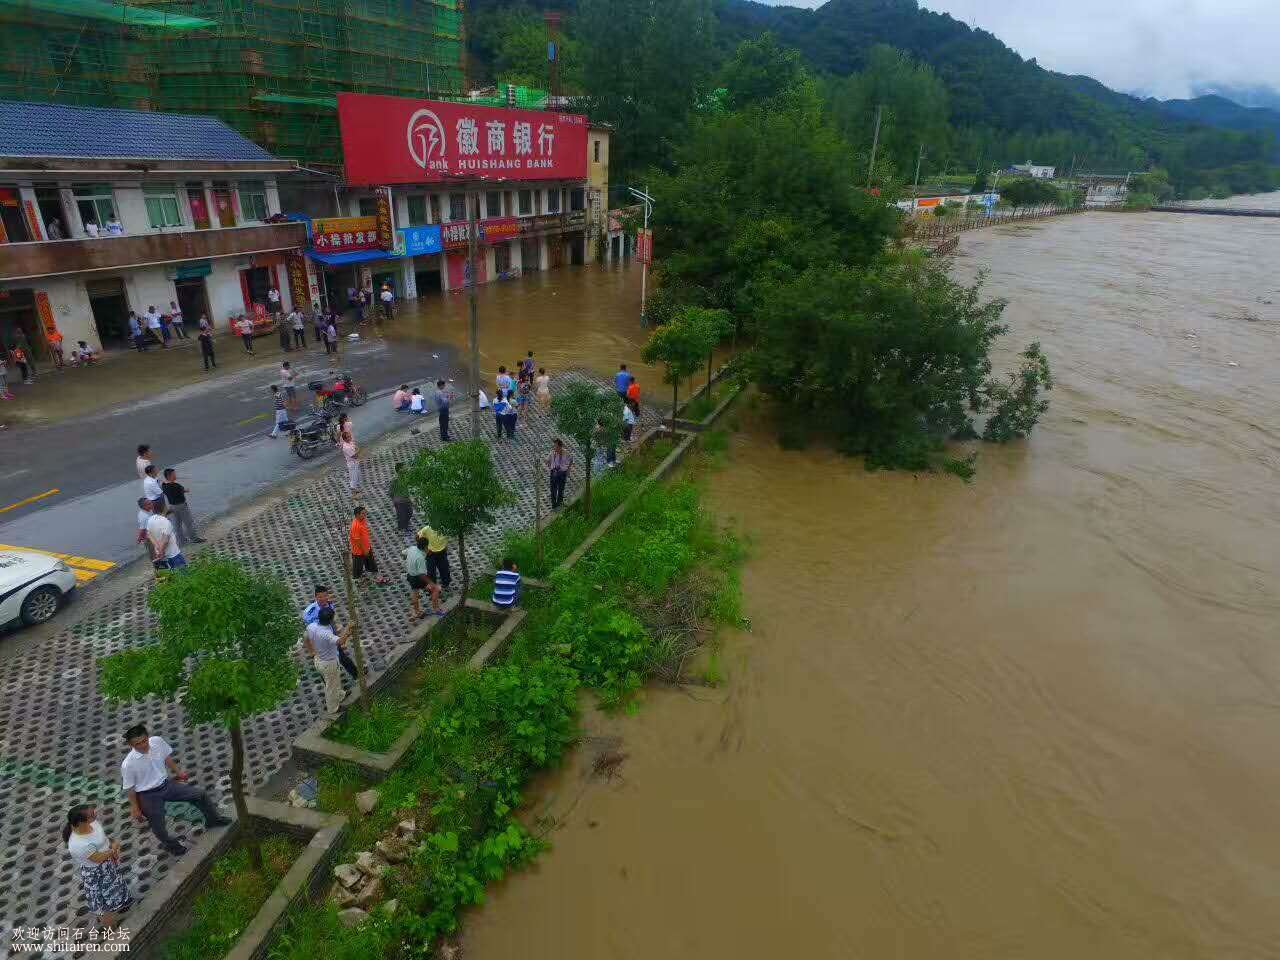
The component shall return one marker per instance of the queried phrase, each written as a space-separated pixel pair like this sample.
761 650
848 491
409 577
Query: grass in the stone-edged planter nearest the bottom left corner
232 895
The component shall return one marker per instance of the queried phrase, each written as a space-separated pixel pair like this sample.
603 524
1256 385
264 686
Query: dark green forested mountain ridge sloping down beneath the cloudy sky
1005 109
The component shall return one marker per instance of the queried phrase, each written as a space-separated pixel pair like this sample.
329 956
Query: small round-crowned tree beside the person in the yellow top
458 487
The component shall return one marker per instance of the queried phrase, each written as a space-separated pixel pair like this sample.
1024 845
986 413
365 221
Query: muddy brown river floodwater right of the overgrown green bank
1036 717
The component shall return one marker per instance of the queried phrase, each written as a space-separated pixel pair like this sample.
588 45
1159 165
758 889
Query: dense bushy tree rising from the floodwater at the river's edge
893 359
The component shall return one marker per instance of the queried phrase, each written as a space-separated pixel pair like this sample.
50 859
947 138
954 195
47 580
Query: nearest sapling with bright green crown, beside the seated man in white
225 650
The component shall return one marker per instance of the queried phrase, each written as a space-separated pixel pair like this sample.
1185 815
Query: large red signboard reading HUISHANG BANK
399 140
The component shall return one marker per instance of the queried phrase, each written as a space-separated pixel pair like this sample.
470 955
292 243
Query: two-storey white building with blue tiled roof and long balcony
106 212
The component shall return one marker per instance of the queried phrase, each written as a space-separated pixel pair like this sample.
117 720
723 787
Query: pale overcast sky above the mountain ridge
1155 47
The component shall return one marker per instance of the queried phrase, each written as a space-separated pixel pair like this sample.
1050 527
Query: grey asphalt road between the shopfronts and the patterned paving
216 433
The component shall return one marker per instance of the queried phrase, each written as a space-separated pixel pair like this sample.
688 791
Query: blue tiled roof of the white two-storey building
58 130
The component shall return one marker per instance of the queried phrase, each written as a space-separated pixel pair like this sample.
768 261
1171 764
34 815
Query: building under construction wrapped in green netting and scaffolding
269 68
